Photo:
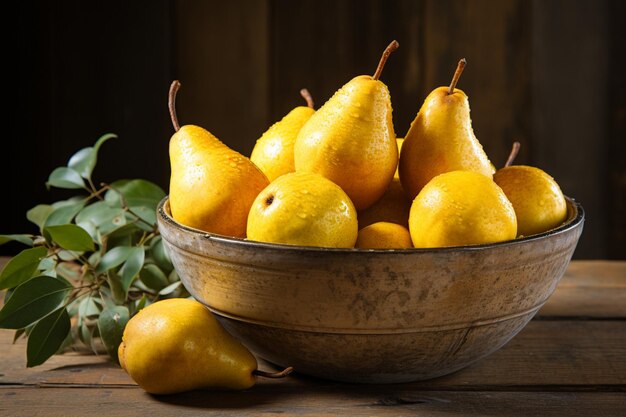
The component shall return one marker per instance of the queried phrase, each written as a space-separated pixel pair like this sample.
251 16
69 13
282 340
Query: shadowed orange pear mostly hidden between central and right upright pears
393 206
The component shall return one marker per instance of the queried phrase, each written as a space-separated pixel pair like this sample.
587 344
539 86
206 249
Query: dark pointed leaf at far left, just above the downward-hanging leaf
32 300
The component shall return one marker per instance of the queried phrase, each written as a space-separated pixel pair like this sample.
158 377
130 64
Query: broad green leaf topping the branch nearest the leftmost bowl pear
136 193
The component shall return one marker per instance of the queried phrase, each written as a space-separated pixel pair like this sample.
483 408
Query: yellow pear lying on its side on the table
177 345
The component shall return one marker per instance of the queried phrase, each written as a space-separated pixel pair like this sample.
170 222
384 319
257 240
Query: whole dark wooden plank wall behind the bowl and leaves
546 73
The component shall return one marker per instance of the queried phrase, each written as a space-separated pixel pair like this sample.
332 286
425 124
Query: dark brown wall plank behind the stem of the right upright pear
494 37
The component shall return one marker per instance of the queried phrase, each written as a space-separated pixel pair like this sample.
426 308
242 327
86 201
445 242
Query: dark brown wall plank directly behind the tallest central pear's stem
322 45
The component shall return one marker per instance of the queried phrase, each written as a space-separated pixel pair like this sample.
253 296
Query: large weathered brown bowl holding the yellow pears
373 316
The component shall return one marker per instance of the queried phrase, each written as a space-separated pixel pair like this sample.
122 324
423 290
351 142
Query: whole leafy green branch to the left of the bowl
98 259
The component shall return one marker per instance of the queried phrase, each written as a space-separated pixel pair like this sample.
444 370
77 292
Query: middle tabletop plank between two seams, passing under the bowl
579 355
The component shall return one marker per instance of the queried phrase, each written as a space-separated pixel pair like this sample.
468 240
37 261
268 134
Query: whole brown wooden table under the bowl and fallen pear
568 361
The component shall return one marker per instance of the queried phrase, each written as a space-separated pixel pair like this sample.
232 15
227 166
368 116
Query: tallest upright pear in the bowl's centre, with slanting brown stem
350 139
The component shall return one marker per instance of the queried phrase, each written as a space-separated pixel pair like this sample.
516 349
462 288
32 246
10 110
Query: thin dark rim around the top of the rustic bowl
576 217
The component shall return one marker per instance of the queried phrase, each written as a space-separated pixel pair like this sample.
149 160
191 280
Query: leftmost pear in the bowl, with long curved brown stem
211 186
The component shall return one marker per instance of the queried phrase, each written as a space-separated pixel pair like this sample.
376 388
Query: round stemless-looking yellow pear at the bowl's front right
461 208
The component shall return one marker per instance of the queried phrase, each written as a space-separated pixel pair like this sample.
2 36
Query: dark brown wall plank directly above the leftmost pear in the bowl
222 63
